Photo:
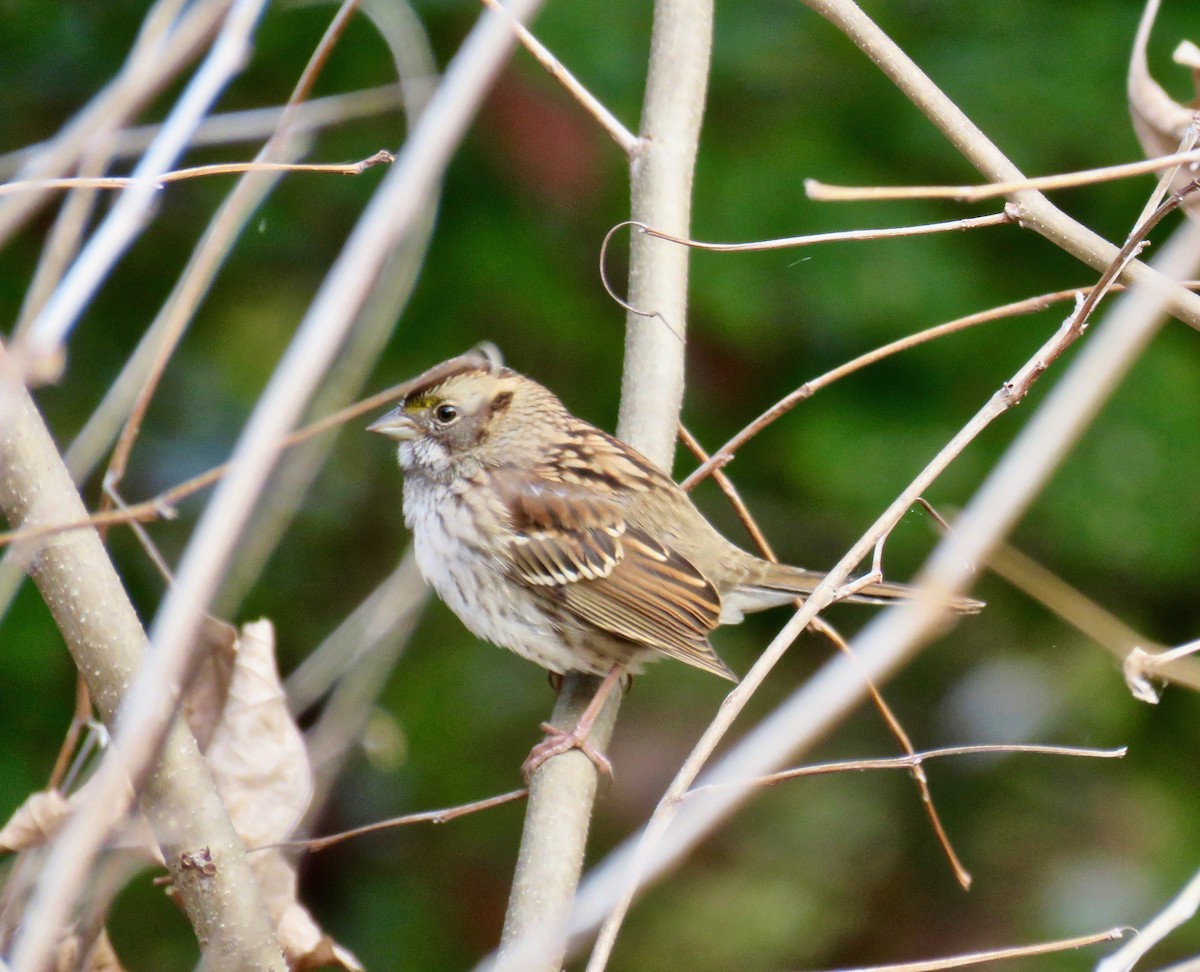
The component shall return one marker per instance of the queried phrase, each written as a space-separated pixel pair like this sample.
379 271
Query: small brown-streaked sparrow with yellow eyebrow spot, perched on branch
557 541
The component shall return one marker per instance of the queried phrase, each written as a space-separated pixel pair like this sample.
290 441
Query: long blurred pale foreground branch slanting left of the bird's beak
397 203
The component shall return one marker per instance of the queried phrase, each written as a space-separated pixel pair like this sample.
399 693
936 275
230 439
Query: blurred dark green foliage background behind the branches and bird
841 871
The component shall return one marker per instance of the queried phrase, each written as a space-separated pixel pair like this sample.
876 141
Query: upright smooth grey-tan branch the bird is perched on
563 791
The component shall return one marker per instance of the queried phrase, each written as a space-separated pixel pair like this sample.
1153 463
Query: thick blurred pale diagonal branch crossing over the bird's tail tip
891 640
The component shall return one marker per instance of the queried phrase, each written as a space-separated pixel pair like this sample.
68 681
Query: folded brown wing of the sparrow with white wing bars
573 545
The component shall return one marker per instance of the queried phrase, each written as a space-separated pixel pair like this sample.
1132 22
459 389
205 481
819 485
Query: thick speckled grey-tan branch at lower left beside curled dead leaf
109 645
